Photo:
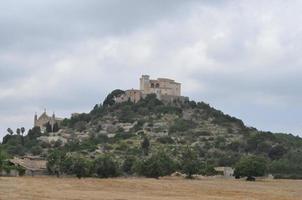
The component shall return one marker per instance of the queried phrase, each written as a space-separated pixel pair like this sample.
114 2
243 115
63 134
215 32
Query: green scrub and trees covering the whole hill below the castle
189 137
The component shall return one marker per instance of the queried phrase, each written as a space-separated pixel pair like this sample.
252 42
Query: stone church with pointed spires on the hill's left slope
44 119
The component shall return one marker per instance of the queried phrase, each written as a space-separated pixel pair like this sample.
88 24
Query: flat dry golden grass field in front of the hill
46 188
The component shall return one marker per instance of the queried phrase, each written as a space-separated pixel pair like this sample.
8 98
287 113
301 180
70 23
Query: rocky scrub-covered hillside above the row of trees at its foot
120 129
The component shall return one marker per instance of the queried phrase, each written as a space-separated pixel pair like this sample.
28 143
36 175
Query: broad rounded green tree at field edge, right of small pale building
250 166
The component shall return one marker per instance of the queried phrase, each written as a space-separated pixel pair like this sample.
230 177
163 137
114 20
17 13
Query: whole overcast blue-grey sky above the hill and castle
241 56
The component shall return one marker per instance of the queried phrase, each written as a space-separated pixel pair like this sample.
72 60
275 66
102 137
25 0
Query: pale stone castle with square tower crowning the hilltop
166 90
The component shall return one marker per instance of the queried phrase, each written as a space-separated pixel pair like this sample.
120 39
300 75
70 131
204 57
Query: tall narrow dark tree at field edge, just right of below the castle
189 162
